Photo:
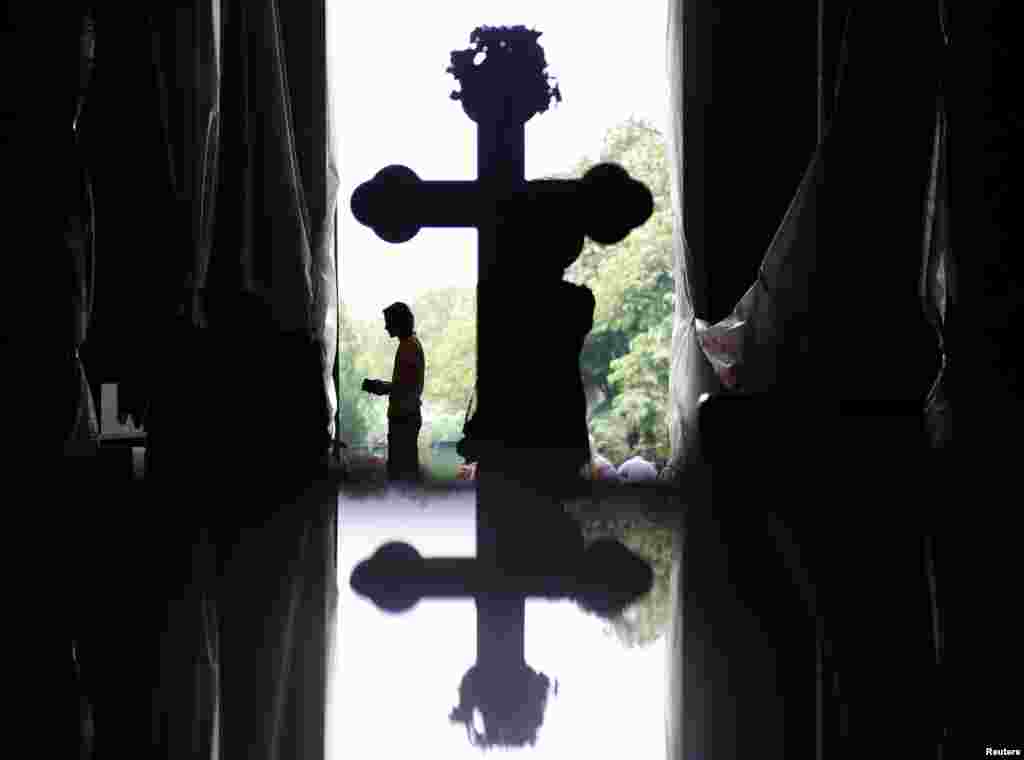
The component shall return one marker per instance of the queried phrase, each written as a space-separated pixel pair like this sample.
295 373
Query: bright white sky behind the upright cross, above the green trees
393 107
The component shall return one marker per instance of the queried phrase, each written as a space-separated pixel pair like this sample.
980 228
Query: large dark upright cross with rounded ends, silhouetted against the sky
500 95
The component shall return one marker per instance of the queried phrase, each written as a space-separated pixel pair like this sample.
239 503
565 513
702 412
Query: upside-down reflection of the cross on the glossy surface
501 691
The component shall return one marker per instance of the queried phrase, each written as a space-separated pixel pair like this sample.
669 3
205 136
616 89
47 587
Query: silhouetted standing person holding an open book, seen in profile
405 417
